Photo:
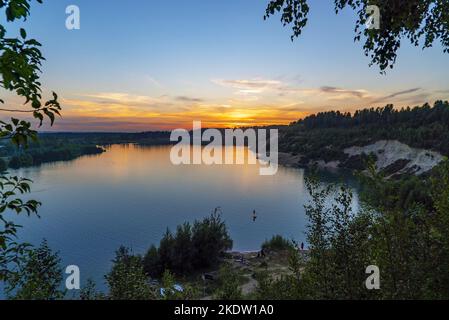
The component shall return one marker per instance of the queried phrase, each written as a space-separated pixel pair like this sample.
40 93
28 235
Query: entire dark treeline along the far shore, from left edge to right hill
323 136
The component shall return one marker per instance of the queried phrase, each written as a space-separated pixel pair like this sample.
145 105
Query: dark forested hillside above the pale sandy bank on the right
325 135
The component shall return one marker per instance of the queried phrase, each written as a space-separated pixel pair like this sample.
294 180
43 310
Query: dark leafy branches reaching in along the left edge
20 63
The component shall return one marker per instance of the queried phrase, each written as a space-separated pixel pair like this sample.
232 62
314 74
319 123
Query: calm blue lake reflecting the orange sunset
130 195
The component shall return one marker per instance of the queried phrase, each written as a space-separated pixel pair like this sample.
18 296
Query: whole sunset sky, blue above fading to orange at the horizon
144 65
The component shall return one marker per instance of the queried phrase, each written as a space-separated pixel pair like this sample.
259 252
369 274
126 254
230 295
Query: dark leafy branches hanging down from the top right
422 22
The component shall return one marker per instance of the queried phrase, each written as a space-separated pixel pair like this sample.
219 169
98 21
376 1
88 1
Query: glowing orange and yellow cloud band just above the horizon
258 102
